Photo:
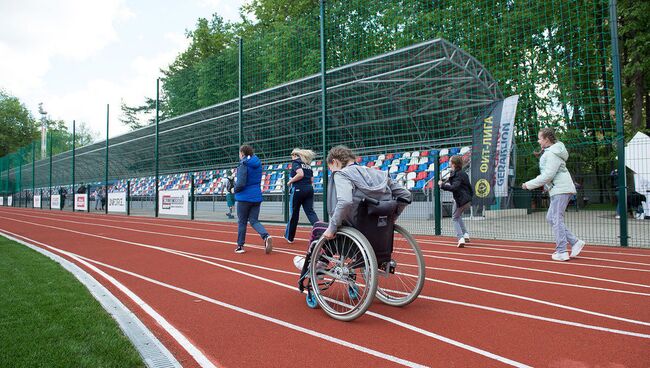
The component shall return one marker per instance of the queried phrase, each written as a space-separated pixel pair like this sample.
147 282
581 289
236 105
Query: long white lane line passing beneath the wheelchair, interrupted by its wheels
293 288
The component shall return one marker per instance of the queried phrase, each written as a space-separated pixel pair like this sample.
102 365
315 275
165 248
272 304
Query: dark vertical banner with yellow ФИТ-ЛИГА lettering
484 147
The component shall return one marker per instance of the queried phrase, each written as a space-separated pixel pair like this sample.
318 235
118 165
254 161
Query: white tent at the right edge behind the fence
637 158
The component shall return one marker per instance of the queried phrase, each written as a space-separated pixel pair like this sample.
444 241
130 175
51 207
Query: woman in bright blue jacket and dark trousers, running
248 195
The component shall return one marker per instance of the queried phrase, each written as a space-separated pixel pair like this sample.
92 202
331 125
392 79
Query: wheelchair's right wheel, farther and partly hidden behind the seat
401 280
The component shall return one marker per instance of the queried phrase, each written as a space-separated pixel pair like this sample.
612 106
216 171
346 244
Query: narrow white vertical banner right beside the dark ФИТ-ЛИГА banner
504 145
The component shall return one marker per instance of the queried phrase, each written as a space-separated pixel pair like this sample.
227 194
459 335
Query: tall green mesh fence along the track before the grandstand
405 85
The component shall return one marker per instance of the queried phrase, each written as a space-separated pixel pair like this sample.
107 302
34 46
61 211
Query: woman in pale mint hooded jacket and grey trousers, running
557 181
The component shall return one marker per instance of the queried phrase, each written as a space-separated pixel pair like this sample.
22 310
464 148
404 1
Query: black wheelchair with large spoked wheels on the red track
375 257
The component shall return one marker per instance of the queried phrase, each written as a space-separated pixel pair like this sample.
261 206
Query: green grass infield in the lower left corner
49 319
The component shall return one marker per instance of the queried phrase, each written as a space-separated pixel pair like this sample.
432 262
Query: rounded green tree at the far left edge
17 126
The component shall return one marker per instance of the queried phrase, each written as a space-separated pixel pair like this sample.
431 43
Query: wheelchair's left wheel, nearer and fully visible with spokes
340 265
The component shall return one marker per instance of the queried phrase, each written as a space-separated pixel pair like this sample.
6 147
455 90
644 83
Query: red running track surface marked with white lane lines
494 303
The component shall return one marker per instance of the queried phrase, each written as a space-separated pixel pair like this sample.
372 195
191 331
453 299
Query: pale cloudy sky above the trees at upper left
77 56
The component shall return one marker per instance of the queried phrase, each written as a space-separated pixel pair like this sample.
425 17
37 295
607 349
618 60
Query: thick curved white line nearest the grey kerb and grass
200 358
